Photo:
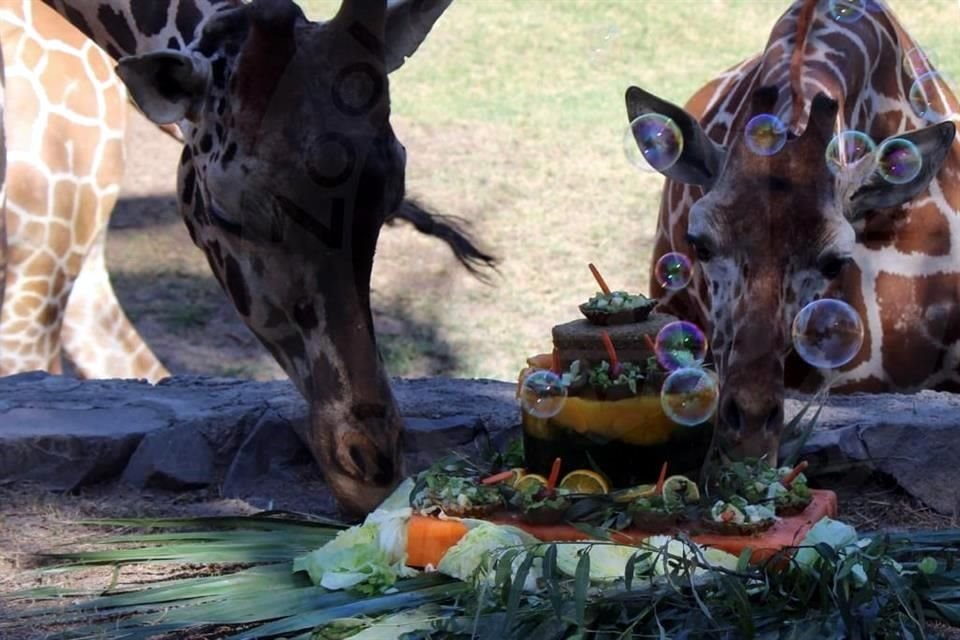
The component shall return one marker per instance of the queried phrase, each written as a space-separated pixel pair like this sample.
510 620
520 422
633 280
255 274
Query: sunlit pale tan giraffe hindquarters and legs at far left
66 116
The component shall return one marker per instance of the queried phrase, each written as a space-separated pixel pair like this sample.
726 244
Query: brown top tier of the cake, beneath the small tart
581 340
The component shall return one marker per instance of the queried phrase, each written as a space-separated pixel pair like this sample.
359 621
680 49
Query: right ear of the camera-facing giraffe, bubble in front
875 192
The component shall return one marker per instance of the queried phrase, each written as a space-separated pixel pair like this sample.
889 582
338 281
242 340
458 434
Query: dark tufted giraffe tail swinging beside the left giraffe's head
452 230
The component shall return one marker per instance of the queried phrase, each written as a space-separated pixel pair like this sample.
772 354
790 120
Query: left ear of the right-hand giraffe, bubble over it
701 158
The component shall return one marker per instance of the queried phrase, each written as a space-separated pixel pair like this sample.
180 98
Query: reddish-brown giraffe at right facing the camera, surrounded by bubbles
769 234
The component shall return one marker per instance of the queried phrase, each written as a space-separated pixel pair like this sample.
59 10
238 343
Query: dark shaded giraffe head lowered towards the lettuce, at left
289 169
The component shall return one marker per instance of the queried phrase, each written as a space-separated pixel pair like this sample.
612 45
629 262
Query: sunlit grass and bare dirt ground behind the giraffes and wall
513 118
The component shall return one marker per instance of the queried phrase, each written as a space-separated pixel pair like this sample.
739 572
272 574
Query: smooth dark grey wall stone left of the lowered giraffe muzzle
172 459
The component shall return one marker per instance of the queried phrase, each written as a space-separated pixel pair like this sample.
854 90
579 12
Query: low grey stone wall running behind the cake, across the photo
193 432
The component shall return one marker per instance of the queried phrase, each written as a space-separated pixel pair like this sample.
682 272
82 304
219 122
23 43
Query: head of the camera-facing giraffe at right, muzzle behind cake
772 233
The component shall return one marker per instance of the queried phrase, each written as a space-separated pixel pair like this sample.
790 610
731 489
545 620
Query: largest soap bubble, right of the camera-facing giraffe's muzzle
827 333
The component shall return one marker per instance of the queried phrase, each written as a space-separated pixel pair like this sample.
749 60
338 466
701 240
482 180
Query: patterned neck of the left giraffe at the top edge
134 27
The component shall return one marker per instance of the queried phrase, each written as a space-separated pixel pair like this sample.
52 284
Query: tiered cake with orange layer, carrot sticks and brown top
614 424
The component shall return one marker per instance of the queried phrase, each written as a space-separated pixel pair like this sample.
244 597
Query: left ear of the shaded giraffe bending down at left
168 86
